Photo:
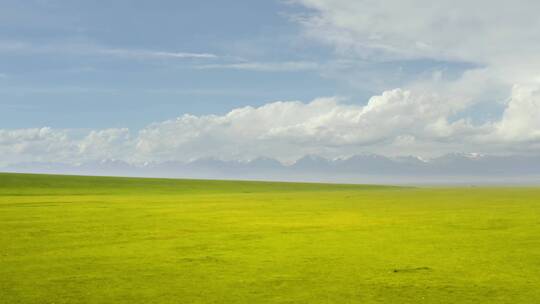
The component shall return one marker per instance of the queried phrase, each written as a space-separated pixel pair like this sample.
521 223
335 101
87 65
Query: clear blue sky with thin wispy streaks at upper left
58 77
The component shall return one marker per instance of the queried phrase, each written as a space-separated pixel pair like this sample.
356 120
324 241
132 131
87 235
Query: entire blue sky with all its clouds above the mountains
154 81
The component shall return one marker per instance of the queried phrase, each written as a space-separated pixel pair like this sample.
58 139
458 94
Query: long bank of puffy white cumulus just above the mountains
396 122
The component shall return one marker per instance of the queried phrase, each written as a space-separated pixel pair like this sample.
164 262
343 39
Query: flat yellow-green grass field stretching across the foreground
118 240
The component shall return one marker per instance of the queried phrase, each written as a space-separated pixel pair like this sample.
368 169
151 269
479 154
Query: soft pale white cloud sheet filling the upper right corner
479 31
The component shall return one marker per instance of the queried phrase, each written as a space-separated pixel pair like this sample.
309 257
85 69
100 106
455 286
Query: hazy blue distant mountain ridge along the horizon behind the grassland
357 168
